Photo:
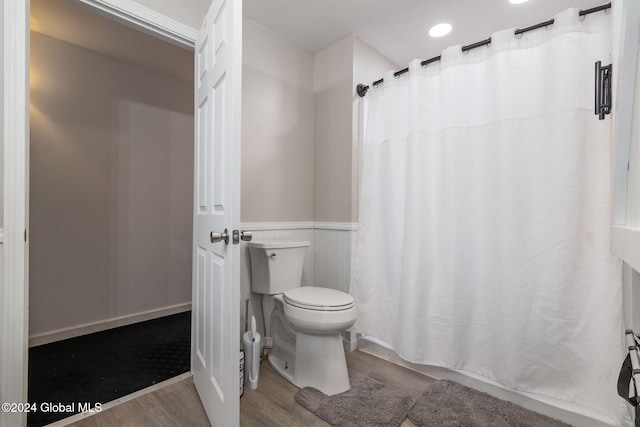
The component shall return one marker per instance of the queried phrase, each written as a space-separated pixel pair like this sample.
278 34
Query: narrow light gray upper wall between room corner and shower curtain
338 69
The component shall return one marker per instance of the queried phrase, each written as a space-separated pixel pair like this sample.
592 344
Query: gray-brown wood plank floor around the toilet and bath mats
272 404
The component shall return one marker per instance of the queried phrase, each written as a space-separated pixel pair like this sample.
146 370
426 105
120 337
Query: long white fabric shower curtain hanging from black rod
483 239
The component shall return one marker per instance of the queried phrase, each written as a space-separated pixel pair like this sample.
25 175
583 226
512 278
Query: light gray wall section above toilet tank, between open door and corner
277 128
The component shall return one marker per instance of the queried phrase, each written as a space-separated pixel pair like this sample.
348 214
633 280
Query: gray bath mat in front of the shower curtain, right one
446 403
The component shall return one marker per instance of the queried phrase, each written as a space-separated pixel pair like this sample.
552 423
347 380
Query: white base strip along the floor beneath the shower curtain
568 412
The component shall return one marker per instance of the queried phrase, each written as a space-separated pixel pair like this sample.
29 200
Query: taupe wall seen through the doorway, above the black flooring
111 186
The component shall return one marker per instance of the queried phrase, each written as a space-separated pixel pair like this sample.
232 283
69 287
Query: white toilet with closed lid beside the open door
306 322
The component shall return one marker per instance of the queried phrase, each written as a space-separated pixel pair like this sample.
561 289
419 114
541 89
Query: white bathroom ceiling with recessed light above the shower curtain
398 28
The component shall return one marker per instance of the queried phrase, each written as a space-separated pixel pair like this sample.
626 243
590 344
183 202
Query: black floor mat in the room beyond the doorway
104 366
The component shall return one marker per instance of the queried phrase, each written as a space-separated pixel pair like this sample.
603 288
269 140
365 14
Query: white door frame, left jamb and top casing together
14 242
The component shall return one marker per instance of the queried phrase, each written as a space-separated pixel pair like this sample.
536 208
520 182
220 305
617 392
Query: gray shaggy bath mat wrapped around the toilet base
367 403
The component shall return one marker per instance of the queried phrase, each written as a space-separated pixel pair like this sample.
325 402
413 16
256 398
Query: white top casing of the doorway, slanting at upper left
144 19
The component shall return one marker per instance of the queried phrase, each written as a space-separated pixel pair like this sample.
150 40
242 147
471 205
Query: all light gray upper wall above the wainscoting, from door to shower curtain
300 145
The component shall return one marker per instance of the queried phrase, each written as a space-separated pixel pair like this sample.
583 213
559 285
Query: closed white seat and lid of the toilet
318 299
